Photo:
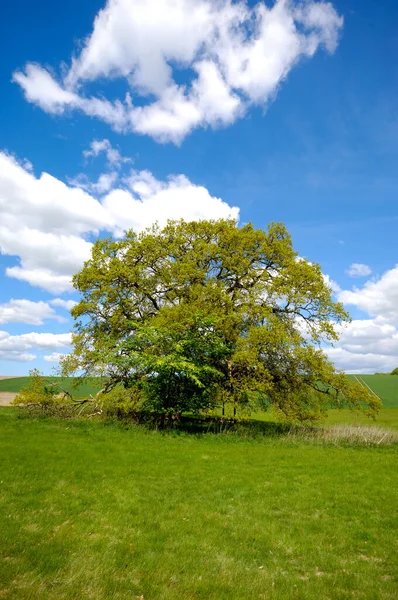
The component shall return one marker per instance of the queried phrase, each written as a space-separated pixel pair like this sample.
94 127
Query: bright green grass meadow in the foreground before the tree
99 511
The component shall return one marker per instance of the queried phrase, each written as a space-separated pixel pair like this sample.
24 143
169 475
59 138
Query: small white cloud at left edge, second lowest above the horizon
26 311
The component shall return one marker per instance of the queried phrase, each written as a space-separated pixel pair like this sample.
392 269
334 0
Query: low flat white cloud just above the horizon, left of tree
16 347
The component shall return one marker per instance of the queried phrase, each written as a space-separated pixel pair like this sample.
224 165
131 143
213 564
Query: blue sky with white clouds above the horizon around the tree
287 111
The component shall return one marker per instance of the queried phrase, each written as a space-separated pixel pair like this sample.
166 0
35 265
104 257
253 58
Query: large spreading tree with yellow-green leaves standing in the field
208 313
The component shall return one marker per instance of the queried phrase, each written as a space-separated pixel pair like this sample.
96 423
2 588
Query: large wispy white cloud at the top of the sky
238 55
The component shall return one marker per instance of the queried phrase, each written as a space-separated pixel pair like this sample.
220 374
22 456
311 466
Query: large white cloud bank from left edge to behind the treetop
48 224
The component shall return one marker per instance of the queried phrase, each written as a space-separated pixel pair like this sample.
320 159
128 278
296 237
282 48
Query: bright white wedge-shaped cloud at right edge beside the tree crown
377 297
